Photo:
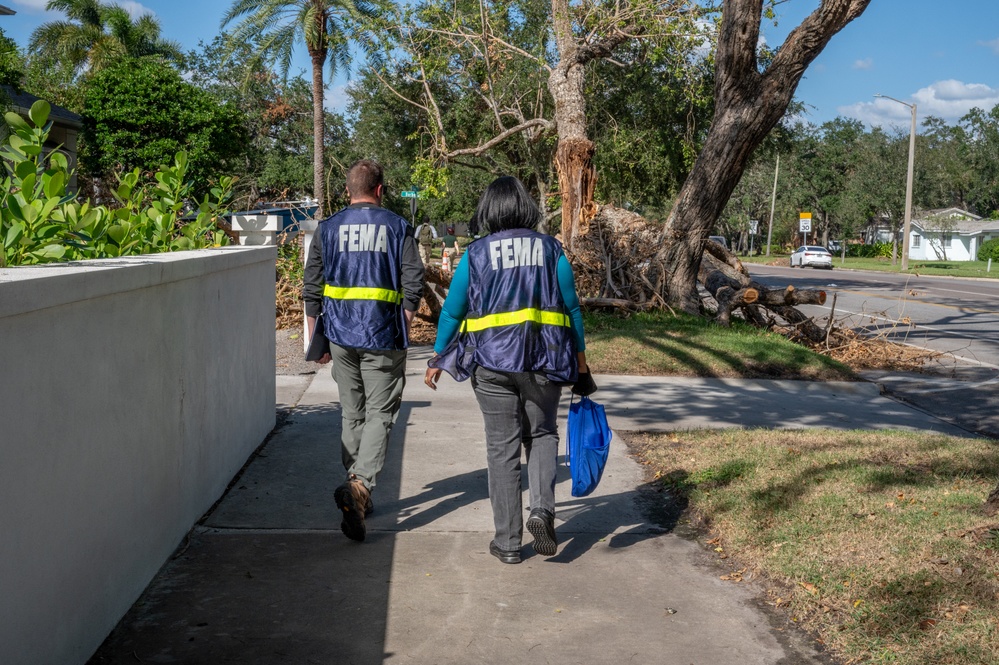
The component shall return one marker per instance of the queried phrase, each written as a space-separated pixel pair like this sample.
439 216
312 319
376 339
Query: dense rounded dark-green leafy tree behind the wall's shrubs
140 113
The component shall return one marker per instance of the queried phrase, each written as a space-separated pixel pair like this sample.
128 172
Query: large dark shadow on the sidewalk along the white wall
267 576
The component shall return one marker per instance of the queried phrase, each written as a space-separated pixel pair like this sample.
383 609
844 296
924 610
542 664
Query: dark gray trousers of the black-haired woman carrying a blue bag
519 410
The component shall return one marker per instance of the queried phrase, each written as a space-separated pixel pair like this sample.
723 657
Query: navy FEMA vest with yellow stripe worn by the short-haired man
362 259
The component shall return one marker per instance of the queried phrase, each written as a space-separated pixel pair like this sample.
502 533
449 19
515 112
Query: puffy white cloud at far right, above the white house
949 100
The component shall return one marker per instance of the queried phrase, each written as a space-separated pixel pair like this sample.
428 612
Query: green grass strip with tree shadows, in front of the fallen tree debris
683 345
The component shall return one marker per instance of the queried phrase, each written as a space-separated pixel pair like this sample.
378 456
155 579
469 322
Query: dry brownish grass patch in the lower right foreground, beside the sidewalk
874 540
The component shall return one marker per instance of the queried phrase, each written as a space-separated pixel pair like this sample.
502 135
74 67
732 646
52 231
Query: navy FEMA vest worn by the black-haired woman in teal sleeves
516 319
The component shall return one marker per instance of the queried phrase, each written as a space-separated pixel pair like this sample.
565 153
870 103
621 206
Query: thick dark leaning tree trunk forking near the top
747 106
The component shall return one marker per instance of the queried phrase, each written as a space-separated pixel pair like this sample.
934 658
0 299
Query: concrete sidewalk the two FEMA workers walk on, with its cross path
267 577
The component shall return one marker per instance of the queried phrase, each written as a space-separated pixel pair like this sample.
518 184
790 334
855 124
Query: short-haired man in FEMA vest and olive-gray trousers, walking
365 276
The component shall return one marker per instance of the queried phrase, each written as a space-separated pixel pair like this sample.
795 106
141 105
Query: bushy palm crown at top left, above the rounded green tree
95 35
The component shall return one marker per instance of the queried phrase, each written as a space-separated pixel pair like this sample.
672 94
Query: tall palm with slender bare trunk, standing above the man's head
326 27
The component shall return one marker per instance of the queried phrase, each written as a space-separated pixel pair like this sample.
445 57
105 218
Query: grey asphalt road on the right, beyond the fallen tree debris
956 316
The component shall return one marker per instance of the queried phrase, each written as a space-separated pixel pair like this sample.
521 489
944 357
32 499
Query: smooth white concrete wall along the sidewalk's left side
132 392
